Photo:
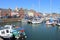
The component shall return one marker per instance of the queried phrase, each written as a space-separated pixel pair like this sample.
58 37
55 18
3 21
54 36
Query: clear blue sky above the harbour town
44 6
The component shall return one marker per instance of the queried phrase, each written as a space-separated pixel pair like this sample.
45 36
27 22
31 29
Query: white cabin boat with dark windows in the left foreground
5 31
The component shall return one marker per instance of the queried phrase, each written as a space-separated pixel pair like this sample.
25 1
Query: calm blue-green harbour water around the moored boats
39 31
